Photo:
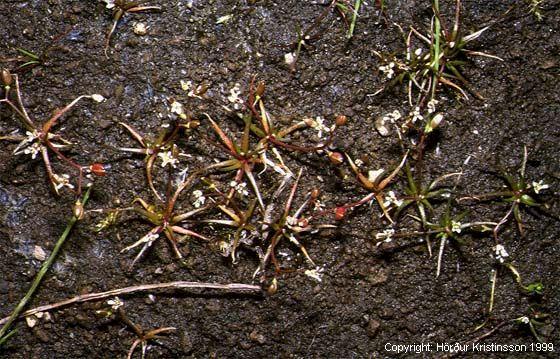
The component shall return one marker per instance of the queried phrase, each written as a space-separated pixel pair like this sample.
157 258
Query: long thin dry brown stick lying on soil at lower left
233 287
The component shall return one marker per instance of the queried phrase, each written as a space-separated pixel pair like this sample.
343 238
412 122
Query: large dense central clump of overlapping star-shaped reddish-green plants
226 190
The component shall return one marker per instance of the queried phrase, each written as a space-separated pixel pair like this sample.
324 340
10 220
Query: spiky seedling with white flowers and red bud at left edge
41 139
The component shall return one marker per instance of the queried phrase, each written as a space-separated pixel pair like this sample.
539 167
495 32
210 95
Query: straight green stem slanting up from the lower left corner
39 277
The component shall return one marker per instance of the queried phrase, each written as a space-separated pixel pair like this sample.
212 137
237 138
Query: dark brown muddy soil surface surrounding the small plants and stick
369 295
